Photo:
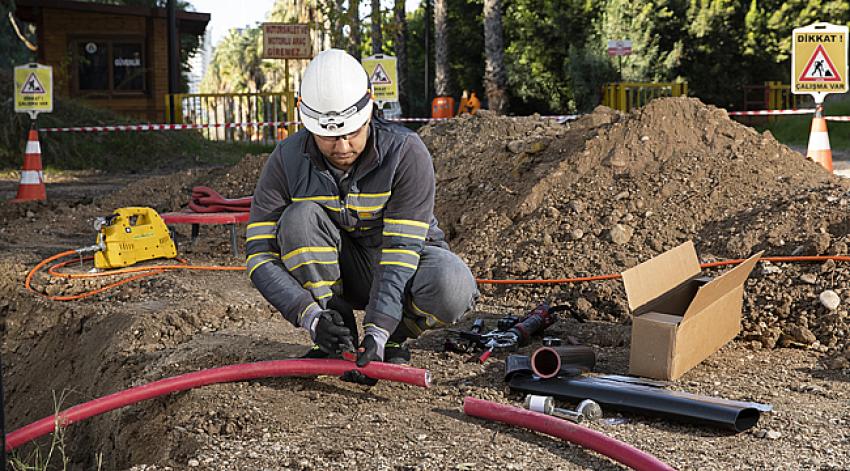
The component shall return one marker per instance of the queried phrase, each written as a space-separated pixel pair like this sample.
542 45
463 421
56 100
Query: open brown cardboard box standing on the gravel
679 317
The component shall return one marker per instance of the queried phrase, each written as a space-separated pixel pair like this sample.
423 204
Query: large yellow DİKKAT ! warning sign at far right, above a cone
819 59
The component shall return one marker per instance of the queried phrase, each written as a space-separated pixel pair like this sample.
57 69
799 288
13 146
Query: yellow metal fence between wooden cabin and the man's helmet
215 109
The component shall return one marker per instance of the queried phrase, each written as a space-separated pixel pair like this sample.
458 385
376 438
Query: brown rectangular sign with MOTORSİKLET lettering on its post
287 41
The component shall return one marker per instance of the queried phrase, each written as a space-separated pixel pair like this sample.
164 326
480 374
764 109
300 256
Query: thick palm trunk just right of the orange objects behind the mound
495 76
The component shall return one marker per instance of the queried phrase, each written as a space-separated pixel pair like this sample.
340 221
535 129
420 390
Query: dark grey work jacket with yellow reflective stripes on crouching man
390 204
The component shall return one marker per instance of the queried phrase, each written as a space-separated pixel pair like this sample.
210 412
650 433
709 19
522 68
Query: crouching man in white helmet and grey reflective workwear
343 218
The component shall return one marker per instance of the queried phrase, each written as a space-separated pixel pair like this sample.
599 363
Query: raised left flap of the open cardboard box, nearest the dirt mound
652 278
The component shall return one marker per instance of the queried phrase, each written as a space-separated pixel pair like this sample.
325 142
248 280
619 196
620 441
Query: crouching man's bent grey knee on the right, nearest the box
443 286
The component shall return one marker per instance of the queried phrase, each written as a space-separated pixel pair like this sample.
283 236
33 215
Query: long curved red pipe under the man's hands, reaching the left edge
226 374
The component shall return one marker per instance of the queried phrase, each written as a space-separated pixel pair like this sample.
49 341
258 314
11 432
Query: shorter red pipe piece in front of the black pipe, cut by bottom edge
582 436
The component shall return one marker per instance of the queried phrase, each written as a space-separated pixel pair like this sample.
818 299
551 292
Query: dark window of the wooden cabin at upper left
109 66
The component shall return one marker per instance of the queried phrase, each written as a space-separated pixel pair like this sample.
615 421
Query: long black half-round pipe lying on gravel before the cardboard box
617 395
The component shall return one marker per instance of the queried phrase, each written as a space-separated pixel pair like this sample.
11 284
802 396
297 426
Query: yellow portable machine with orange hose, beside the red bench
131 235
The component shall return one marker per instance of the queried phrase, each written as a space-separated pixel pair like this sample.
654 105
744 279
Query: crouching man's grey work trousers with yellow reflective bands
331 264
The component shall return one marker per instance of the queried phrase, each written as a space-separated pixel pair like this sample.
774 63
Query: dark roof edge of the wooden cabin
189 22
